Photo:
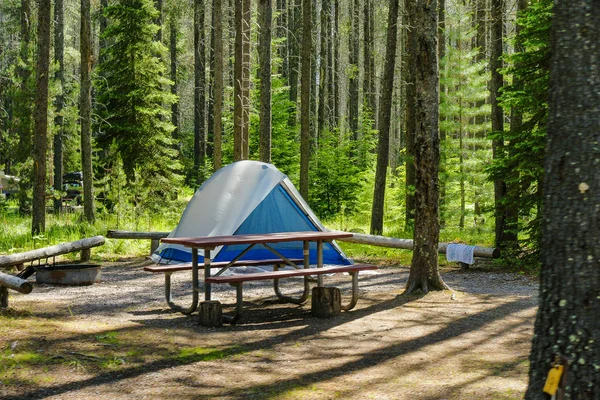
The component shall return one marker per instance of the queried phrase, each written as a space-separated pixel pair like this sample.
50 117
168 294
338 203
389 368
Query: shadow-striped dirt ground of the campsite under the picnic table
119 340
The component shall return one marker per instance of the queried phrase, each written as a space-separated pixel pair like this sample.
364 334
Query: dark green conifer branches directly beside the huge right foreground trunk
520 164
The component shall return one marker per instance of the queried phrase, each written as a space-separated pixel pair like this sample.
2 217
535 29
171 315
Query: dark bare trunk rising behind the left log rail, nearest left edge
40 145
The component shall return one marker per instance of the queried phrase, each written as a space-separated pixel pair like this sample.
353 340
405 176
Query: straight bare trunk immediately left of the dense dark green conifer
85 109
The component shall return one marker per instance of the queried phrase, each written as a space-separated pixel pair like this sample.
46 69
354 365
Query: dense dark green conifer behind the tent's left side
133 102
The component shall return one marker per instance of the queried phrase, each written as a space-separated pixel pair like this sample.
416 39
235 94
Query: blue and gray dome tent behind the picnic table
243 198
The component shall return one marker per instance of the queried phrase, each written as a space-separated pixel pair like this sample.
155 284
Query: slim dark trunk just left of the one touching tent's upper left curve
199 92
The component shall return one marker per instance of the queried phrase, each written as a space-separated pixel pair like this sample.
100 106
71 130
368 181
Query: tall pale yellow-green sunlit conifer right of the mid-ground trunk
462 121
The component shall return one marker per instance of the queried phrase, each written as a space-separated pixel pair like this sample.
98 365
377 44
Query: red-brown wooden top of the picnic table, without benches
215 241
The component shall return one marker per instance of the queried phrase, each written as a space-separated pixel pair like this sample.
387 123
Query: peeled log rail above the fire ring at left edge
83 245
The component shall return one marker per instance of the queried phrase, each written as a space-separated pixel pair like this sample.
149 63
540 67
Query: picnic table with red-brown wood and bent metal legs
209 243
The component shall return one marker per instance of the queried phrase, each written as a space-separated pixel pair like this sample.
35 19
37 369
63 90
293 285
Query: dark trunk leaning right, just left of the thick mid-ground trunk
383 149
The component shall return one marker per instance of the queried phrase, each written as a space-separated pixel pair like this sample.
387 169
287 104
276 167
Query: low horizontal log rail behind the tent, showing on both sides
382 241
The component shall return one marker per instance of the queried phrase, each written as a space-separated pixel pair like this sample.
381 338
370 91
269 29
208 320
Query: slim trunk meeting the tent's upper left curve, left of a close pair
218 83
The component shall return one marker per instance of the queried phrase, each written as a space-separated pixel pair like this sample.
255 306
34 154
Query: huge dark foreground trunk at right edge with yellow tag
567 326
